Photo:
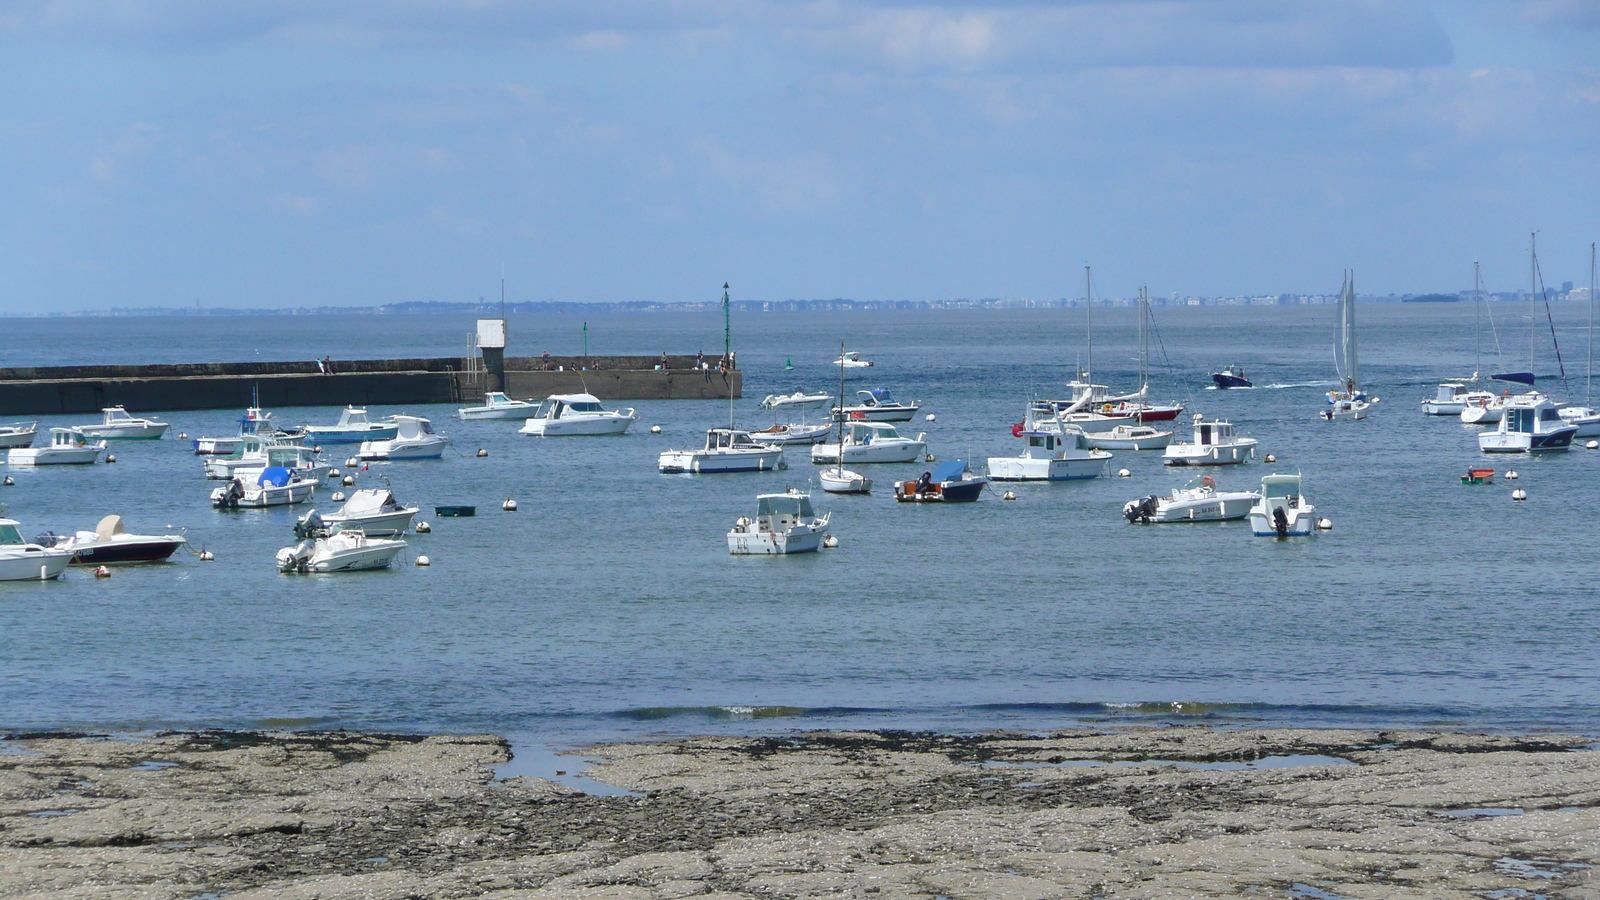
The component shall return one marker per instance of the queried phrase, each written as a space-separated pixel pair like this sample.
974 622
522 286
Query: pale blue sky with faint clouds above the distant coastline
310 153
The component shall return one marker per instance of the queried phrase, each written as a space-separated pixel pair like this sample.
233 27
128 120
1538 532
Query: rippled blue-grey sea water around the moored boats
609 605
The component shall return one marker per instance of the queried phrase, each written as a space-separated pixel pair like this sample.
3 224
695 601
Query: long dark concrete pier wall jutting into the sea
394 382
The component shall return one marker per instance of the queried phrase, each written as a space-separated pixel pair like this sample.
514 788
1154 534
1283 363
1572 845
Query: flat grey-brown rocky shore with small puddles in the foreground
1145 813
